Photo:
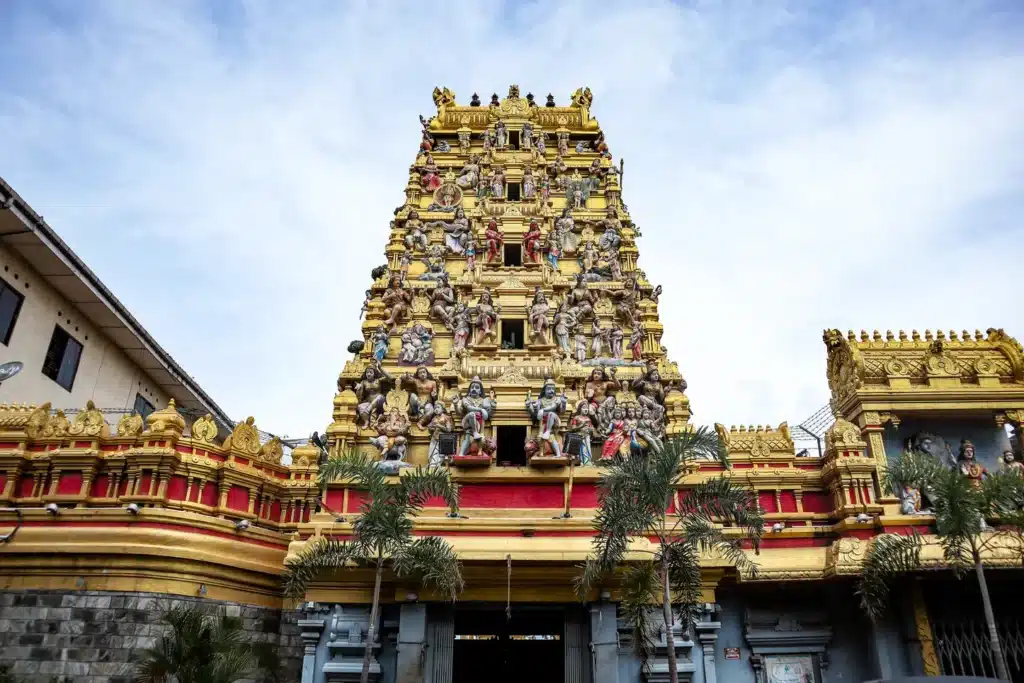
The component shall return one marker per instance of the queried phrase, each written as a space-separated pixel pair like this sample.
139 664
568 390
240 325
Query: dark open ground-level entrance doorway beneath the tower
527 648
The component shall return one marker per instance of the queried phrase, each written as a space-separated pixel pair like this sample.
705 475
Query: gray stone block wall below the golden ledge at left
90 636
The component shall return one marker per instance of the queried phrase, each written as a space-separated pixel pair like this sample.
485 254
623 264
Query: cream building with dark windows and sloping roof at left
77 341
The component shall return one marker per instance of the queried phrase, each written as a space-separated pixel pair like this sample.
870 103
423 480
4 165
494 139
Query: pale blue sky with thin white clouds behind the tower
230 169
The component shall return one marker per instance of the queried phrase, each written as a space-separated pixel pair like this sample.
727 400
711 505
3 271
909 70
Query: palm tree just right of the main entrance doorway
636 495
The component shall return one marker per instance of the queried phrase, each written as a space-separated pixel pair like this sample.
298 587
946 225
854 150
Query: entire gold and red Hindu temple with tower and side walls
511 336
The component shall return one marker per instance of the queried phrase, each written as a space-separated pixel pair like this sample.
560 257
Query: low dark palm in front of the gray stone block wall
204 649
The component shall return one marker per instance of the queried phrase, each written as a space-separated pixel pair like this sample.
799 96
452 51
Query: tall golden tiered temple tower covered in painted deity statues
511 266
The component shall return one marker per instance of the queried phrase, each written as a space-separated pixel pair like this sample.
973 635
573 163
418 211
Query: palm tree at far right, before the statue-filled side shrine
961 506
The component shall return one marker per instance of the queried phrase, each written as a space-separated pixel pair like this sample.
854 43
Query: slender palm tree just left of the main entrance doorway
382 536
